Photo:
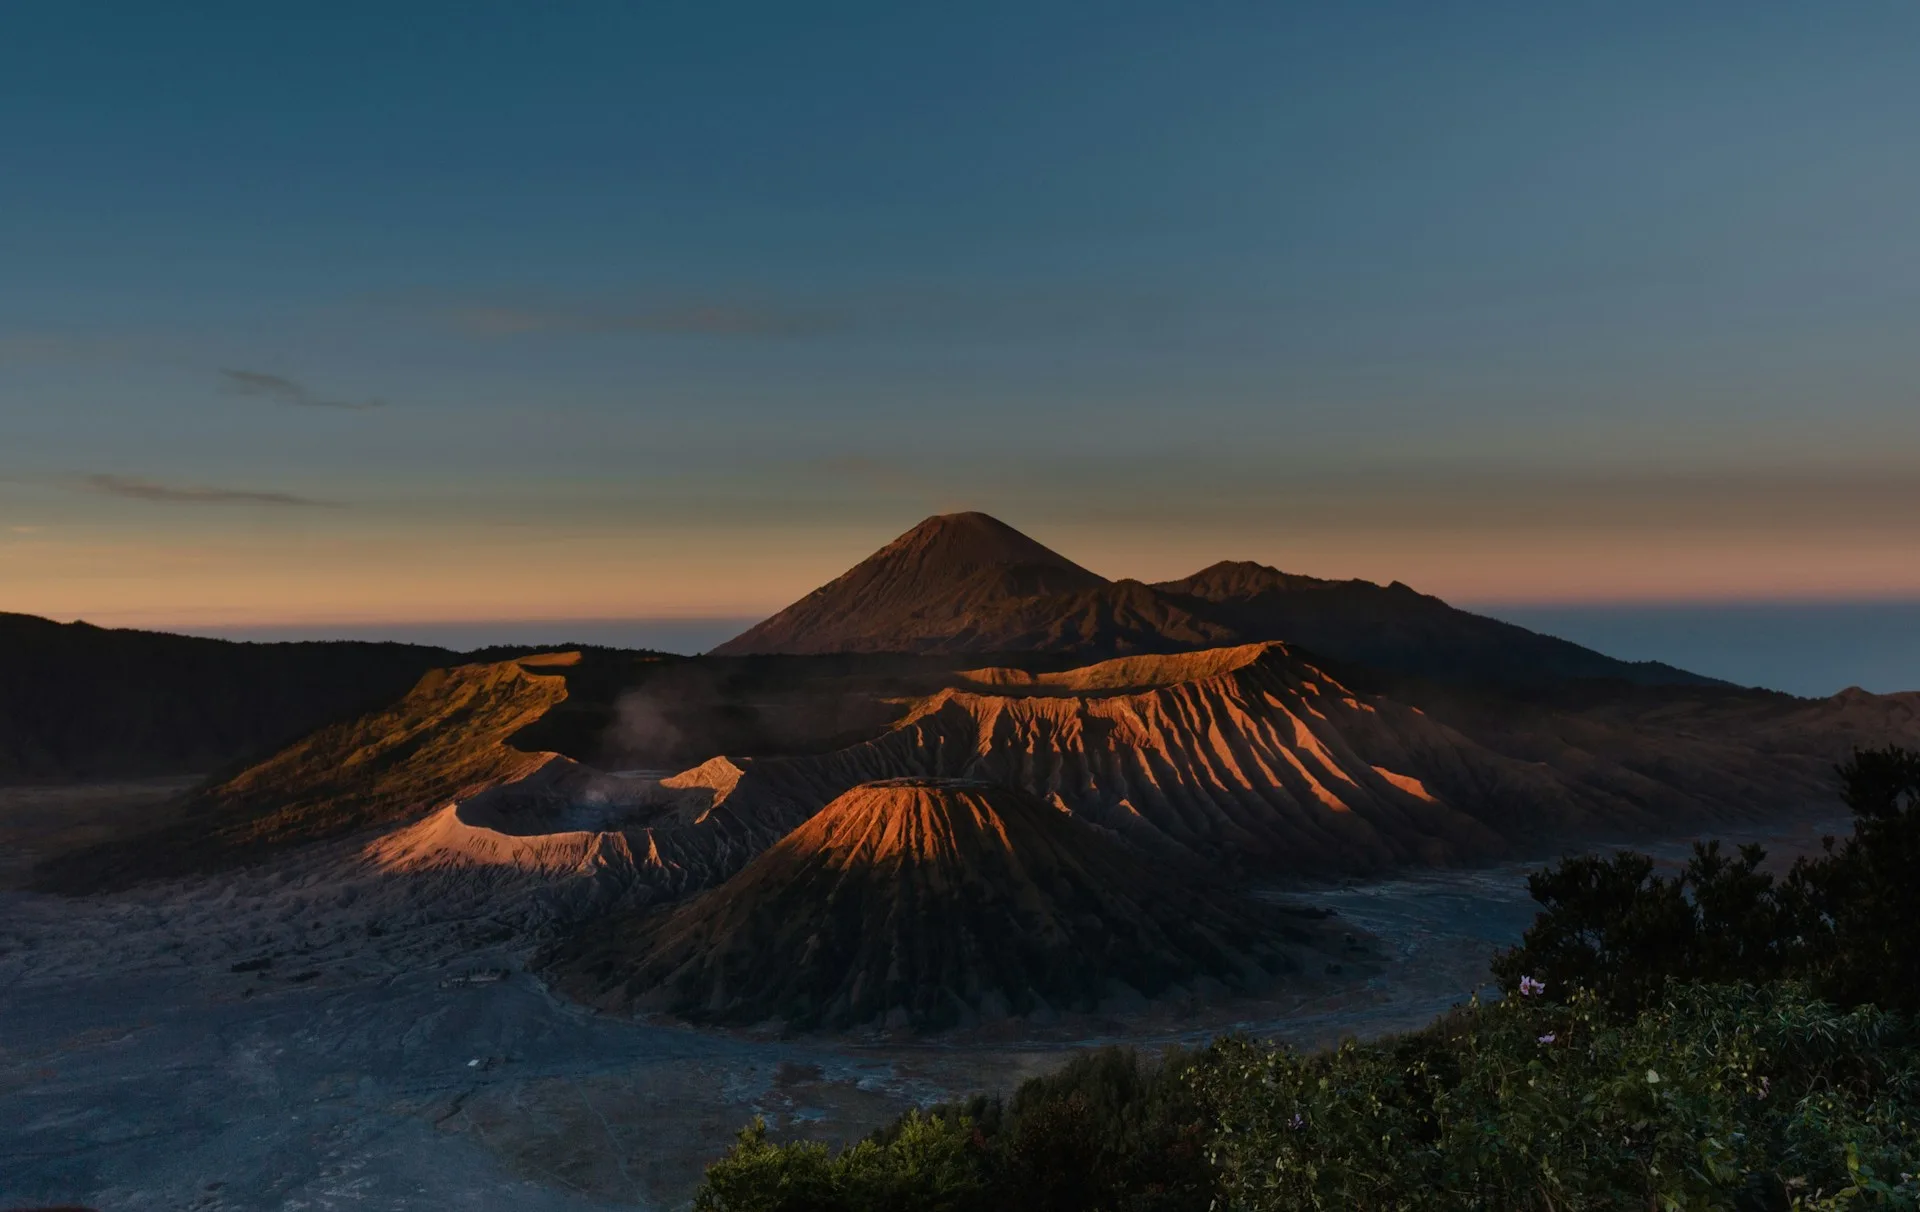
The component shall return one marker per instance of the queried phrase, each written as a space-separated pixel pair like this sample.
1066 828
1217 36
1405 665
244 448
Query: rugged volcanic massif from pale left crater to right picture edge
1237 762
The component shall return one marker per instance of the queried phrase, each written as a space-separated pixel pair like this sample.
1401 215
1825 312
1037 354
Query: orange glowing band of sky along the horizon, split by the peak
750 573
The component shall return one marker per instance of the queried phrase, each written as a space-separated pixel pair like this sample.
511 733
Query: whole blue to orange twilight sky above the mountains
370 316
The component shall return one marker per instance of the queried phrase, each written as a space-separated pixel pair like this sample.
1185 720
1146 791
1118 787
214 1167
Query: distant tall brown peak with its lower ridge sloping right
967 583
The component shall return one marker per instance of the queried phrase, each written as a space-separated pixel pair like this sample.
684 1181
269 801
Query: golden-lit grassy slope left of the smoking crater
444 740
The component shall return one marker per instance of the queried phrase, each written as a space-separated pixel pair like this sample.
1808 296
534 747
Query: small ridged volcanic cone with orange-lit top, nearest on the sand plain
926 904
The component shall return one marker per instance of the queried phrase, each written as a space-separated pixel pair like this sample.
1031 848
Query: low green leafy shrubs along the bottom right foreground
1719 1098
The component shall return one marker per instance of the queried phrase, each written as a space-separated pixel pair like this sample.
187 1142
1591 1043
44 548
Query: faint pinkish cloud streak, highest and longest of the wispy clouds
669 320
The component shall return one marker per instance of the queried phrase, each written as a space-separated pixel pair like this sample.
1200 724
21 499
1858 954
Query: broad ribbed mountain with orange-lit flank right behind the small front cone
1247 760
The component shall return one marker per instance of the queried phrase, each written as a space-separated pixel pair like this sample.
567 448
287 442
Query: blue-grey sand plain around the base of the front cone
377 1063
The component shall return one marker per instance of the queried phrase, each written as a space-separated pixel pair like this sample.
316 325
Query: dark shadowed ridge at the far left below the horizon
85 702
